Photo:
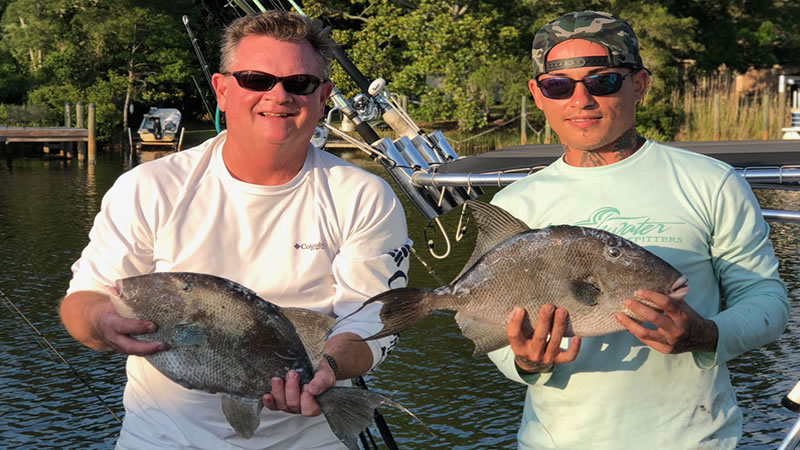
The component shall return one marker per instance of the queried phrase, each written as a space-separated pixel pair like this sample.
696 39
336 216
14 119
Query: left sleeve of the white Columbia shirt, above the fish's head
120 241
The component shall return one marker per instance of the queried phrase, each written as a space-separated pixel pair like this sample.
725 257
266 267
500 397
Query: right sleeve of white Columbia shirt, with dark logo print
373 258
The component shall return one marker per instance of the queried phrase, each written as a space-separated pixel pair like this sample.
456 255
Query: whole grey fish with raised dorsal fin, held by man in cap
587 271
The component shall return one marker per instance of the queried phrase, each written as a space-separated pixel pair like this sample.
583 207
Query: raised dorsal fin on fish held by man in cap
494 225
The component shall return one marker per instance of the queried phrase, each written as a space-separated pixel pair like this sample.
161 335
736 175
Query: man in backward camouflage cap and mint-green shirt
662 383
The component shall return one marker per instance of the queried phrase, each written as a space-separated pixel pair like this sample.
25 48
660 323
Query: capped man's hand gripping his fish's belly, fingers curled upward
537 353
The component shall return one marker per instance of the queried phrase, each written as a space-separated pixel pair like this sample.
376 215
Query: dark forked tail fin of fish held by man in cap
402 308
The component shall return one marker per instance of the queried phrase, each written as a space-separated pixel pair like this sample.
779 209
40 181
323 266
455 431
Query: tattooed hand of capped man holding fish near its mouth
680 328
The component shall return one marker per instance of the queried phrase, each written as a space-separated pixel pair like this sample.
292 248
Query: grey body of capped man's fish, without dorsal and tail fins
588 272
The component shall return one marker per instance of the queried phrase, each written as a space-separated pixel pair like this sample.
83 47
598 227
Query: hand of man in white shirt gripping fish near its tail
288 396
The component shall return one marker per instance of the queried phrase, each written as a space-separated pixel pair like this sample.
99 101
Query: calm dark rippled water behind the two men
46 211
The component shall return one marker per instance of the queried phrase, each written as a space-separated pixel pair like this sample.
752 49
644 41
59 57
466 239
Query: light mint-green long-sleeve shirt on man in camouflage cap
700 216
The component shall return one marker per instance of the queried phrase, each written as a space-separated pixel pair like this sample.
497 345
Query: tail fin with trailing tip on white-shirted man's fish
349 411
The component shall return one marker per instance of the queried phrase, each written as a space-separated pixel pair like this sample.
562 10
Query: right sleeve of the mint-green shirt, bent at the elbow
756 306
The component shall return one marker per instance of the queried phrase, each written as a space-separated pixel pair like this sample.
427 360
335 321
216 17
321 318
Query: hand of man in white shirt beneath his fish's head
92 320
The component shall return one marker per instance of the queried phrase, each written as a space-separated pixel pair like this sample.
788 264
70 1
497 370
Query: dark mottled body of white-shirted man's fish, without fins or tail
221 337
